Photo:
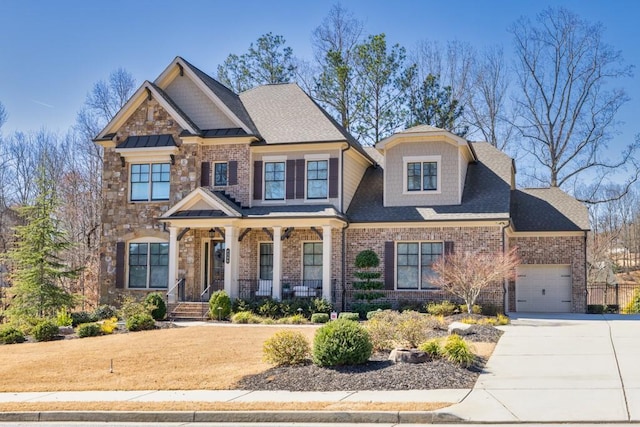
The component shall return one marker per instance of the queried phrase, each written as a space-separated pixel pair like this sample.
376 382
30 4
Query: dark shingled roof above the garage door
547 209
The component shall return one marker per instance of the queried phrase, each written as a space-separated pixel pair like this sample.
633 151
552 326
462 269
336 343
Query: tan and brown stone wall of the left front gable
123 220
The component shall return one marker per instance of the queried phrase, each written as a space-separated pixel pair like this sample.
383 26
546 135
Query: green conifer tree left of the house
37 268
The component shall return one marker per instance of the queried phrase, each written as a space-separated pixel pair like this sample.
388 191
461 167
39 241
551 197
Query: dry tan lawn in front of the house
193 358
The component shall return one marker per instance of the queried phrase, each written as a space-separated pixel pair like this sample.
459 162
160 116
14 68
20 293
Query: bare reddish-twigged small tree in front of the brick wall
467 274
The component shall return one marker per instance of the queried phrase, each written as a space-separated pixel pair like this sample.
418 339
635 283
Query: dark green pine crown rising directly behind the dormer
434 105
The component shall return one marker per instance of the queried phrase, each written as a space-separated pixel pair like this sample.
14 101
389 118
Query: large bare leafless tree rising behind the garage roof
567 103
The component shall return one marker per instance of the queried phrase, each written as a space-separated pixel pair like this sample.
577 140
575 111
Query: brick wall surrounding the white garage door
555 250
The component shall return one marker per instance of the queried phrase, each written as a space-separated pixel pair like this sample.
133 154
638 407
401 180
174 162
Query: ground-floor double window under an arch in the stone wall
148 265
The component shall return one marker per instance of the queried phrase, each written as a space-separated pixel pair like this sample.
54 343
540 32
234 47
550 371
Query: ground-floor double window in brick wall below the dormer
414 261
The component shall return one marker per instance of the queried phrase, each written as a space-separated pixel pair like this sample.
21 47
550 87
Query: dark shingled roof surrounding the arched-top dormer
486 194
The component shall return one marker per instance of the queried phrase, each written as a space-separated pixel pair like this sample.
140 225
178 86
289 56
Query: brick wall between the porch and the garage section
486 238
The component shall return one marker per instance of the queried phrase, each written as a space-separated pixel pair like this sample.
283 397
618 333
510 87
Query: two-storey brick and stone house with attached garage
263 194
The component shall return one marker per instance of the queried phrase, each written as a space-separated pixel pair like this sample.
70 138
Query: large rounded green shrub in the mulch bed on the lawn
342 342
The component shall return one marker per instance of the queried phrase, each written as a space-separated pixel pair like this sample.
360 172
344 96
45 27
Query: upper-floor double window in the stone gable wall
150 181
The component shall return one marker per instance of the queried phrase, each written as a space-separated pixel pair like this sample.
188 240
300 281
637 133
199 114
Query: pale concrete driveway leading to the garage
560 368
